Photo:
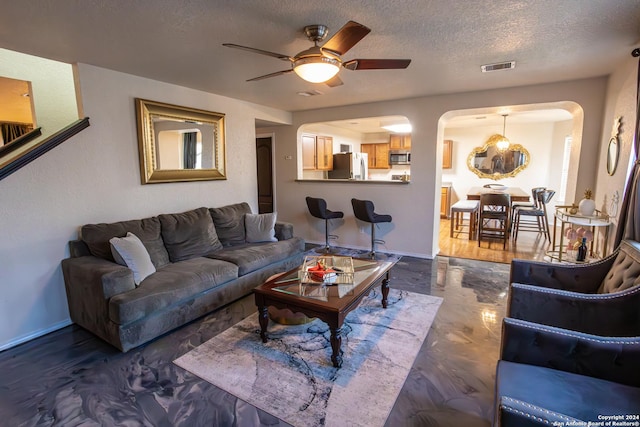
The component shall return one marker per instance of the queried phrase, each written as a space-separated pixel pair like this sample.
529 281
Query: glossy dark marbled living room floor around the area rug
71 378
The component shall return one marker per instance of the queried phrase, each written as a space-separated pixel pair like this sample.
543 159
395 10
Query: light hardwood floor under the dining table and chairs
529 245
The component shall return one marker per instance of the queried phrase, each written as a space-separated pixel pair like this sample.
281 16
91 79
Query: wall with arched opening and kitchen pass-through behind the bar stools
415 207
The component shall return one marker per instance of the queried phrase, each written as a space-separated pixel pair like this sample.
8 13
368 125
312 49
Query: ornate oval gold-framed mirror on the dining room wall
490 162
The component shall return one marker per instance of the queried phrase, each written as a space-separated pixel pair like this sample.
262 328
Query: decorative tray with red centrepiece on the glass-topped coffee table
327 270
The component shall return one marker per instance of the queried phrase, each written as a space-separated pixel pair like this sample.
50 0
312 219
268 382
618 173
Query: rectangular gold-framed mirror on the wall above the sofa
179 143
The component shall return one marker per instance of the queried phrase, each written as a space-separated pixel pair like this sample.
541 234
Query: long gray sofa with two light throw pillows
200 260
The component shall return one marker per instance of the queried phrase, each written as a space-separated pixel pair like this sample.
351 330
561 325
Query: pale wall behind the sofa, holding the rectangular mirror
94 177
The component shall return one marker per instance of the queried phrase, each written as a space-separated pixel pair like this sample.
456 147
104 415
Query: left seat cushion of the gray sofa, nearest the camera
172 285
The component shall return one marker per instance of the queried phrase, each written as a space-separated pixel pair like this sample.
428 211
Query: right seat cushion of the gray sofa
253 256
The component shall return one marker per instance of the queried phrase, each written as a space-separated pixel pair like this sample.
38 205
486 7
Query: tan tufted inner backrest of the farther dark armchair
625 271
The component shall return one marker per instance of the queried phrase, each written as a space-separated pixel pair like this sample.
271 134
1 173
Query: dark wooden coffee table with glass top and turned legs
329 303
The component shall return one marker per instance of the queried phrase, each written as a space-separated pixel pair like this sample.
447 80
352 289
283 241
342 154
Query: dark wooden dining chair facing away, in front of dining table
494 216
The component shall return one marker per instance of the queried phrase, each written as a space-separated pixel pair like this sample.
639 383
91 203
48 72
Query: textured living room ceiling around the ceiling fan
181 42
